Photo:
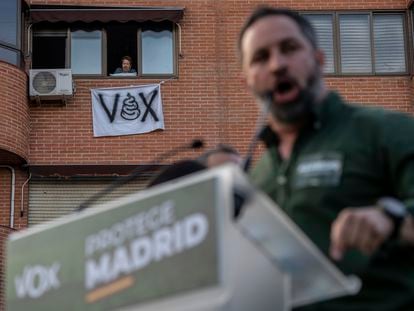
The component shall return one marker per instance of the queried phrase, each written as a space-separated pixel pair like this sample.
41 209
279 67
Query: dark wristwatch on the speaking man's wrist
396 211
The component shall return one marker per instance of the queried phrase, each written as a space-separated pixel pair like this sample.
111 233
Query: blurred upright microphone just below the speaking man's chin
267 100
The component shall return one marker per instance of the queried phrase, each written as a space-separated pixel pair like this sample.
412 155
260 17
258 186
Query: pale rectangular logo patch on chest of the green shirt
318 170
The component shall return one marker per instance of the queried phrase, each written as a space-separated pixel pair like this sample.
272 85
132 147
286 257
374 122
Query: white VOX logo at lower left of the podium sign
37 280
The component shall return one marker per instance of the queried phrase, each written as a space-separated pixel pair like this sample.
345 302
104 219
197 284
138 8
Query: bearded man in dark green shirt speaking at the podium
343 173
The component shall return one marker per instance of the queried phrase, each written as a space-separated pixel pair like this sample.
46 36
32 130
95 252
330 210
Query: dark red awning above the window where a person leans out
88 14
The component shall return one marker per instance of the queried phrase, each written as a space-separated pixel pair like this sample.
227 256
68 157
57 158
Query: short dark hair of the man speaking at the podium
265 11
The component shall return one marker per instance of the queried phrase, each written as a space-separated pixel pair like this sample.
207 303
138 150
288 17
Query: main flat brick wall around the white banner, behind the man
208 99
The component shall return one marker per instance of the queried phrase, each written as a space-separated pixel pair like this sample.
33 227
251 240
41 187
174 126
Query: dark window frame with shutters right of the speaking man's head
337 43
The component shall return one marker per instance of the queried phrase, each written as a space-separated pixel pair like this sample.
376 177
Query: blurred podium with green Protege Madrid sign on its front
173 247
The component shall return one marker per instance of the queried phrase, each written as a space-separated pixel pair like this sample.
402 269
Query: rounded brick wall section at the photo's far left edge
14 150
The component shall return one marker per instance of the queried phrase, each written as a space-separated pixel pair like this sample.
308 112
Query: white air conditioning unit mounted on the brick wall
51 83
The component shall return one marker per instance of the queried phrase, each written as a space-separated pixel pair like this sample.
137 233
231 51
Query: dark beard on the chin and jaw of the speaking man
301 109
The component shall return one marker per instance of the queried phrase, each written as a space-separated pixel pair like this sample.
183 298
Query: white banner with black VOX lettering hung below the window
127 110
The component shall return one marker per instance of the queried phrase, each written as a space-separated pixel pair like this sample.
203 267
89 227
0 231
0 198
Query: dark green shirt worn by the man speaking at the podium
349 156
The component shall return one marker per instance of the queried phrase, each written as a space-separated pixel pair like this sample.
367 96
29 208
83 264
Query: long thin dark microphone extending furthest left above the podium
195 144
